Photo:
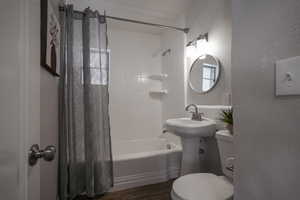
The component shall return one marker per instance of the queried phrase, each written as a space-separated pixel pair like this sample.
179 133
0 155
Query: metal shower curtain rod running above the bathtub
185 30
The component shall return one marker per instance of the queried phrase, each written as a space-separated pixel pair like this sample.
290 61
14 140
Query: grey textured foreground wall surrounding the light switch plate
267 127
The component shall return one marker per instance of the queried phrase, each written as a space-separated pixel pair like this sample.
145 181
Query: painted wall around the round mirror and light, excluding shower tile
214 17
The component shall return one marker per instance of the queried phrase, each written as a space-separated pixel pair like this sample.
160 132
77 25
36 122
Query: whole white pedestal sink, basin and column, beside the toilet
192 133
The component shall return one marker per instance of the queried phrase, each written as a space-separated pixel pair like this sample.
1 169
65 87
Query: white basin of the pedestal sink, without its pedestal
185 127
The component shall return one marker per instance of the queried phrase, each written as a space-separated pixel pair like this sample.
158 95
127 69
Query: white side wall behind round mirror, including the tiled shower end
214 17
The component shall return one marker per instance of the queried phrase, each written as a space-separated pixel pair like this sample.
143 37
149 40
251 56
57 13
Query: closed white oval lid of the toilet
202 187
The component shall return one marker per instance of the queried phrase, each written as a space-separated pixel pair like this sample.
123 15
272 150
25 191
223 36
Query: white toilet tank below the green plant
226 151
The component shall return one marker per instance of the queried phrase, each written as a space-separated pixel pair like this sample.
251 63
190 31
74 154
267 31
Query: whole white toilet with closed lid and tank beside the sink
206 186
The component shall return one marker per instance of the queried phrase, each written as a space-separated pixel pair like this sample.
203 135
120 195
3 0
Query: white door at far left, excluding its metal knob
17 180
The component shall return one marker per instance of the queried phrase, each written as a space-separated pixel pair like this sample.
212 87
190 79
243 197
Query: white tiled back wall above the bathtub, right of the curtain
134 113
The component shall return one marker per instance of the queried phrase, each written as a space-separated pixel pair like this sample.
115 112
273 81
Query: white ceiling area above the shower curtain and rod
155 11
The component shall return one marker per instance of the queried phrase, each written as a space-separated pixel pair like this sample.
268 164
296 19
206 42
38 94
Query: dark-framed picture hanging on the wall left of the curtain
50 38
